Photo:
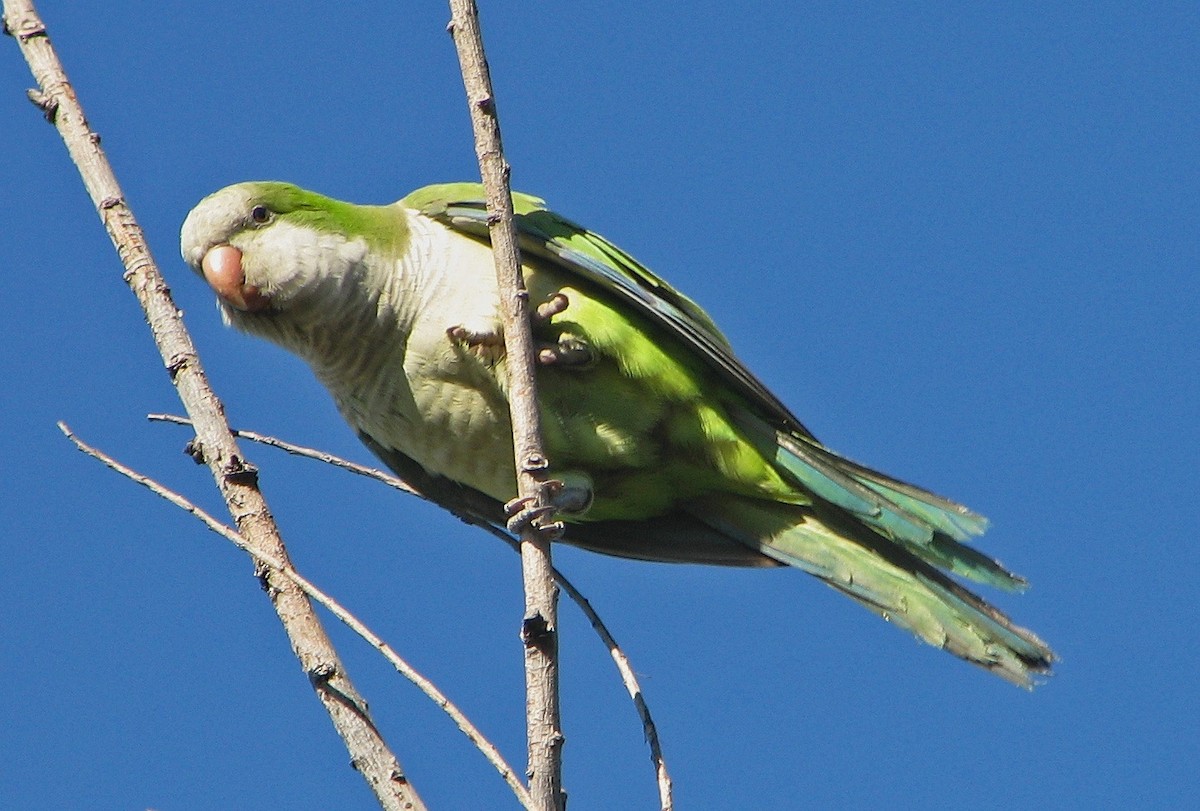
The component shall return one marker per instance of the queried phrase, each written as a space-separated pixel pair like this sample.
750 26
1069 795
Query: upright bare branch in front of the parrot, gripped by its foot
541 628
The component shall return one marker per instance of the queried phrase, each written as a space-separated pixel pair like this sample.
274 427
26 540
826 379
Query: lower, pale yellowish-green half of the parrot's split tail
885 576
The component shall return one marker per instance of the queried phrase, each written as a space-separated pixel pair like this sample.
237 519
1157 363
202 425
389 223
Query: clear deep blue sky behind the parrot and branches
959 241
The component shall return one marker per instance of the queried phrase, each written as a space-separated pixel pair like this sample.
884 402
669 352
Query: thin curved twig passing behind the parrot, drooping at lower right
622 662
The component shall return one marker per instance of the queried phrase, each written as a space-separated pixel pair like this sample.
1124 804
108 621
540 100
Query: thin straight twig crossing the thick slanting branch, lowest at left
334 608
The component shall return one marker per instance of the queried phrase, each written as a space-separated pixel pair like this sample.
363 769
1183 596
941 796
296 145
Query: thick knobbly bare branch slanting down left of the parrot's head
237 479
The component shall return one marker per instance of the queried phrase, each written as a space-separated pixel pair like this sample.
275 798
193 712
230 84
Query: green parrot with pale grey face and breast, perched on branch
663 443
